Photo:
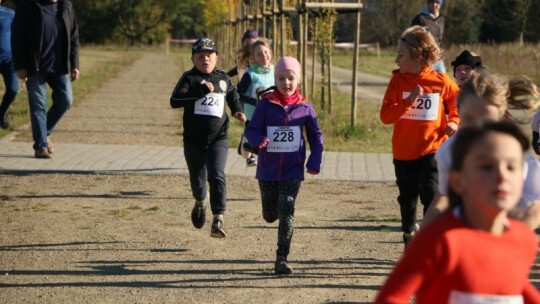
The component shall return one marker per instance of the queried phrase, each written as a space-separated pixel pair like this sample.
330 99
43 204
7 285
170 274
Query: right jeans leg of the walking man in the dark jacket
62 98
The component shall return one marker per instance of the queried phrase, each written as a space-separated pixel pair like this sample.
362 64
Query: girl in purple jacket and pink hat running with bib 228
277 128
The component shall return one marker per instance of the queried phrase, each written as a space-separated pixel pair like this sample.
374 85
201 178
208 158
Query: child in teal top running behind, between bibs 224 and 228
258 76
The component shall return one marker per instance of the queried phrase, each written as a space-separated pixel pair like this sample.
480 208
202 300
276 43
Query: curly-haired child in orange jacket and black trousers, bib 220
416 101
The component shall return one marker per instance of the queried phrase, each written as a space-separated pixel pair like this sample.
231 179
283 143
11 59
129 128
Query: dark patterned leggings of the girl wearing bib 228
278 200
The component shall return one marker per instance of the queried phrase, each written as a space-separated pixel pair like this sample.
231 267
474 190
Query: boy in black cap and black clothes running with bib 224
202 92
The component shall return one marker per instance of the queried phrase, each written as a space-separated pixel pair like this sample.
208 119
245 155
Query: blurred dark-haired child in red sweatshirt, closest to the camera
474 253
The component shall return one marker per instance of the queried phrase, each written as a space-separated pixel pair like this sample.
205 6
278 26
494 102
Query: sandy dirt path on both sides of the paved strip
128 238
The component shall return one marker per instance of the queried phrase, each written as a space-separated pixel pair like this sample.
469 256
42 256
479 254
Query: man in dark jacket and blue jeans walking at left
45 44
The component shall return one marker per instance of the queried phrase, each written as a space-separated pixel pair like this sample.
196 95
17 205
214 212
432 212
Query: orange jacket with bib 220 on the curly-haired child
419 128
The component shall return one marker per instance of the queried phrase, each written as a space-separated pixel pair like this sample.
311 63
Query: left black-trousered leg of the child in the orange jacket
407 179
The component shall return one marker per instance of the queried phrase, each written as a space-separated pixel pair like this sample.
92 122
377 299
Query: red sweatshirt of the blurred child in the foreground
448 259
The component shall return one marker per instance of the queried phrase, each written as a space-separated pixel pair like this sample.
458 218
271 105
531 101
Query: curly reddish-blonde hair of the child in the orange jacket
421 43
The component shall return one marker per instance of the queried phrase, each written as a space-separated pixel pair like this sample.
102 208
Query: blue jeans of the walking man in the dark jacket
43 121
